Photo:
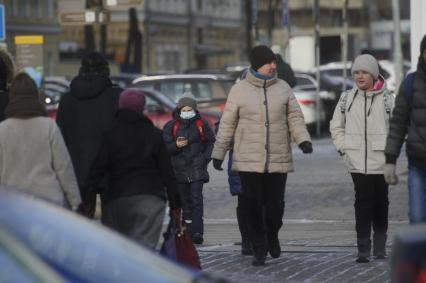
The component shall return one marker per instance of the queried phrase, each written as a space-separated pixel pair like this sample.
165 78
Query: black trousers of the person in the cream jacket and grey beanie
371 204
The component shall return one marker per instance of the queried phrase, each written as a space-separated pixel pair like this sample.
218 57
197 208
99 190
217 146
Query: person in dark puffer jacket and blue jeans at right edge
409 119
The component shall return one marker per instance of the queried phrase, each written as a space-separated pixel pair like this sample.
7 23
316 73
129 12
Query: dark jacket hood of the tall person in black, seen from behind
89 86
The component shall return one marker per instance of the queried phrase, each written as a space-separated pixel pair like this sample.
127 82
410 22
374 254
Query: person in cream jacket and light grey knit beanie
358 129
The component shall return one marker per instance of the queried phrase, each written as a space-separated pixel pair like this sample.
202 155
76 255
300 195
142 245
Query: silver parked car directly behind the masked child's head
210 91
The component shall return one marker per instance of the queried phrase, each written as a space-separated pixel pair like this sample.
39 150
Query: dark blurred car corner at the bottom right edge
408 261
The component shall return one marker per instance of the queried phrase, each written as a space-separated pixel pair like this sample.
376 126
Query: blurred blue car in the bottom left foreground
81 250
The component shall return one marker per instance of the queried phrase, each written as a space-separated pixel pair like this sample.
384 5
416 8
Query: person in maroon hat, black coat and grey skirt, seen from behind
135 159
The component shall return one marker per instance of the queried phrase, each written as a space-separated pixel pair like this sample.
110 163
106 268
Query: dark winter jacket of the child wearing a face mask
190 163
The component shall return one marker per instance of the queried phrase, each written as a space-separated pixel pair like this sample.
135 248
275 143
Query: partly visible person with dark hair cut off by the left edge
7 72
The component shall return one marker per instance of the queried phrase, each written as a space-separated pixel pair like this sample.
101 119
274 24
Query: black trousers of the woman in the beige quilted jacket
263 202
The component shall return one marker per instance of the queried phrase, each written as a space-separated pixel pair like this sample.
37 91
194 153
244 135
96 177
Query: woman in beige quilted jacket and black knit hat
262 116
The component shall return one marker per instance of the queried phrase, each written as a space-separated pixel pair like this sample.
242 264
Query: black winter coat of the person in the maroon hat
135 159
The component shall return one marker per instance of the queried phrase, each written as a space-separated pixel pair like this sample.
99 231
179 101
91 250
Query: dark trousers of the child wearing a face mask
192 206
